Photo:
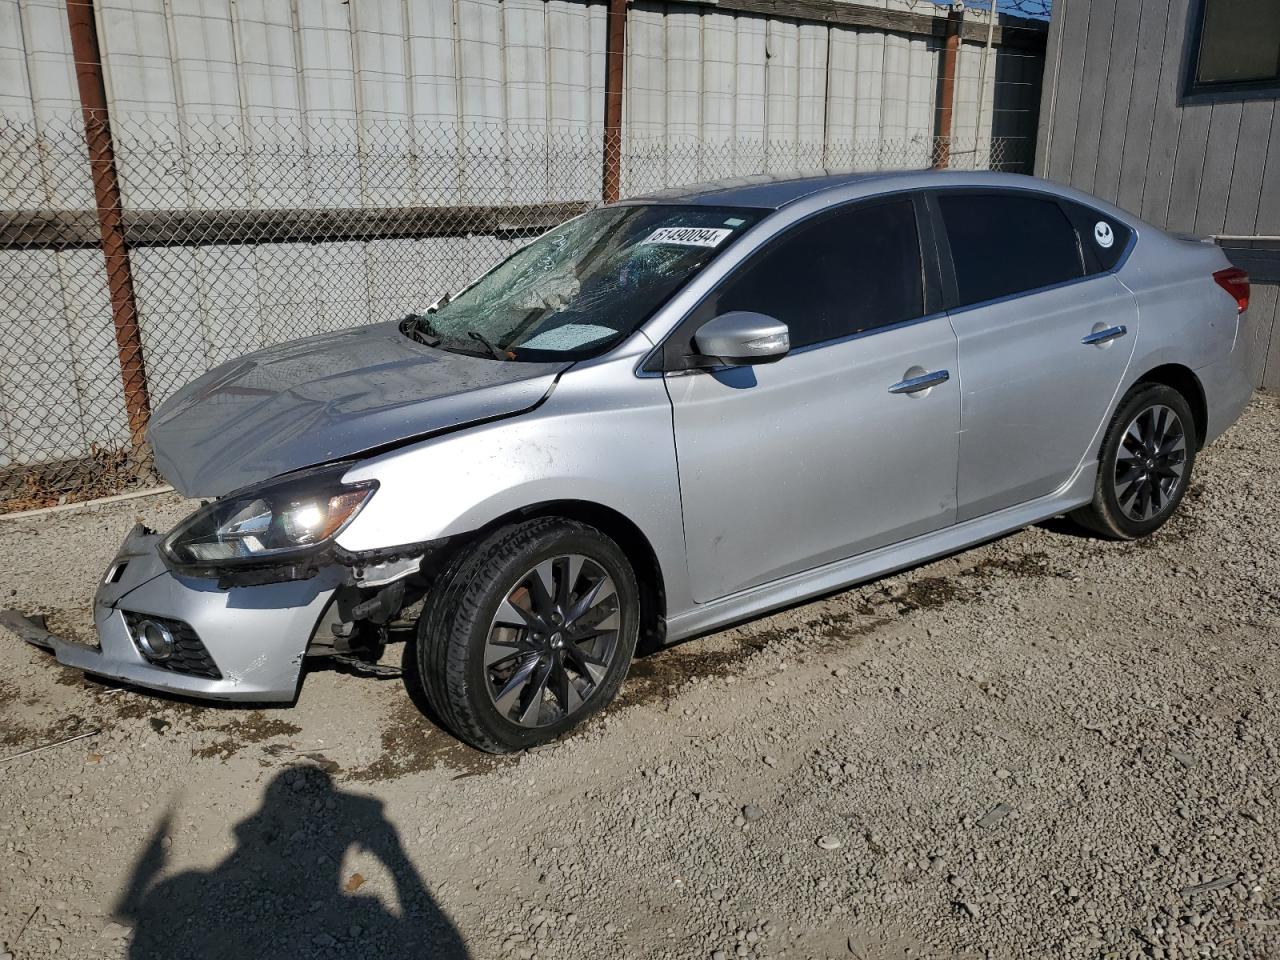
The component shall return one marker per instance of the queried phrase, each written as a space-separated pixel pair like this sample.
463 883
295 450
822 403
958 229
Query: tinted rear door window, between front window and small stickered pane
1005 244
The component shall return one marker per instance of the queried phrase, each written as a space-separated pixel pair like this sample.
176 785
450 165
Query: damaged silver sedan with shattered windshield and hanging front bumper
664 417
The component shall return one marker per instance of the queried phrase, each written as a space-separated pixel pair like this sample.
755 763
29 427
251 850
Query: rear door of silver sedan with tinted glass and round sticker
1045 333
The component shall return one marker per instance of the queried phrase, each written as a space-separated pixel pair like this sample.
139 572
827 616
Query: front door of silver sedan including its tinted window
851 441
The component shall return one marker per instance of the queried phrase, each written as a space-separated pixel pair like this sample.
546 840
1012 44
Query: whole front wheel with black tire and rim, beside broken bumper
578 678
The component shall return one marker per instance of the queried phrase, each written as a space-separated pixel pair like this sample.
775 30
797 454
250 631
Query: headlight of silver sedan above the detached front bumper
278 522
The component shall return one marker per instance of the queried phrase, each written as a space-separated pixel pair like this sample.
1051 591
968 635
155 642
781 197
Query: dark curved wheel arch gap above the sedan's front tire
619 528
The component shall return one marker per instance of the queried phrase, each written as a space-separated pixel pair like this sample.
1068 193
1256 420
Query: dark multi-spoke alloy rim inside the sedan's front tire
552 641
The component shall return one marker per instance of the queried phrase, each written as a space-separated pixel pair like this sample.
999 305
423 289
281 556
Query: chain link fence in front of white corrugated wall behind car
241 236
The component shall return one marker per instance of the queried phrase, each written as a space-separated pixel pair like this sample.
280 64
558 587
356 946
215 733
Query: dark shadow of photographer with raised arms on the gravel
281 893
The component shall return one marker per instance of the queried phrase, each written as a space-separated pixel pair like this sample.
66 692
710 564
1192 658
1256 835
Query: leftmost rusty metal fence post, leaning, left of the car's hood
107 193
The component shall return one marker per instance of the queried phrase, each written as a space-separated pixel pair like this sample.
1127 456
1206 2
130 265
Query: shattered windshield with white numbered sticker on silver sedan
587 285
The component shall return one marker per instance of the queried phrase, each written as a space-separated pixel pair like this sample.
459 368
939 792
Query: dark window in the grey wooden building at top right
1236 48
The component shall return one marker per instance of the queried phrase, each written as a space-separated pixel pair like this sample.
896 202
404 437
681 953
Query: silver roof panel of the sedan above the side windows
775 191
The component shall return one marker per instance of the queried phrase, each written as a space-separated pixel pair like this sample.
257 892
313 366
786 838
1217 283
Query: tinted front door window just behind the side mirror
833 277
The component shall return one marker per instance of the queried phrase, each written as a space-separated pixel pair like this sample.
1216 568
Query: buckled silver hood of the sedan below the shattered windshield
326 399
